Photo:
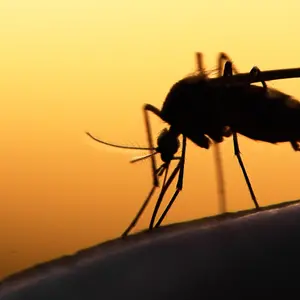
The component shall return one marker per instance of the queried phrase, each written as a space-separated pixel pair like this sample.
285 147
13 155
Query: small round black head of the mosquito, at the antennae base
167 144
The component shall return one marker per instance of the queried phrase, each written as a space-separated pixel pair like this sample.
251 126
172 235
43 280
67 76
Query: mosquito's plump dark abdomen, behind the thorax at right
269 116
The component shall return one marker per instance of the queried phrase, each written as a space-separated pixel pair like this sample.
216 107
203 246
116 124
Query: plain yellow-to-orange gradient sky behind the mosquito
71 66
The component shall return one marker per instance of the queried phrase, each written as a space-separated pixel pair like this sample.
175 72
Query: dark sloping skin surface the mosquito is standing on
224 256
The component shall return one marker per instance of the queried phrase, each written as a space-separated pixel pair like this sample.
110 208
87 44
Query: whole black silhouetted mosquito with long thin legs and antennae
206 110
